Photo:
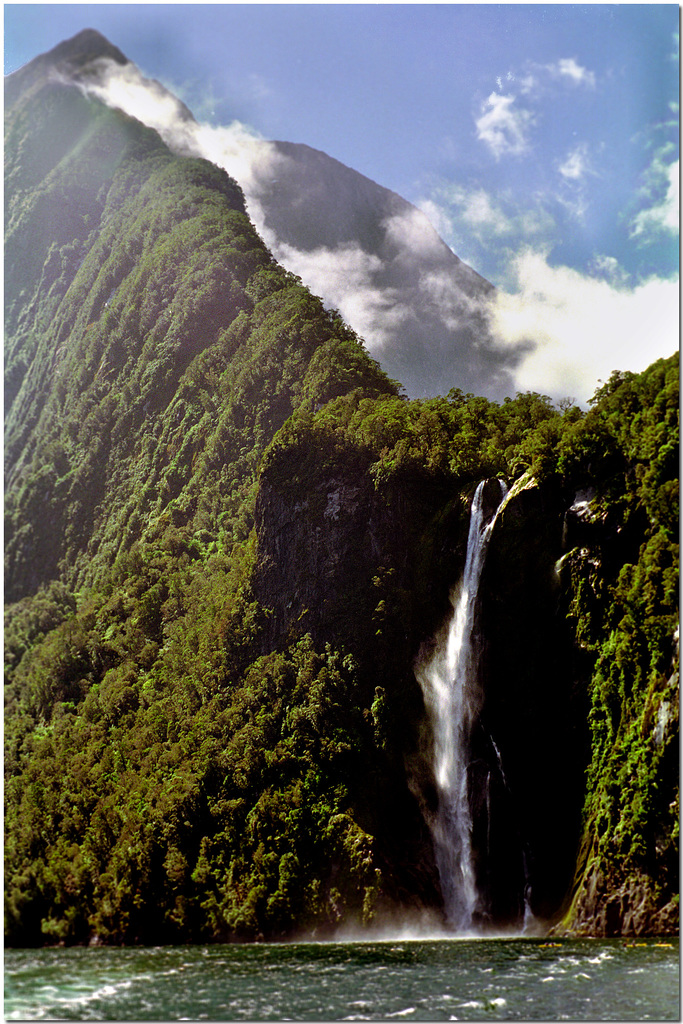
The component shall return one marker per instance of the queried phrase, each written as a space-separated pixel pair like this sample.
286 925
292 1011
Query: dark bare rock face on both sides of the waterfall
531 748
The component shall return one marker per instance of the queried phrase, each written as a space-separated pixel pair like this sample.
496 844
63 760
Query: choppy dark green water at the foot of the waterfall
458 979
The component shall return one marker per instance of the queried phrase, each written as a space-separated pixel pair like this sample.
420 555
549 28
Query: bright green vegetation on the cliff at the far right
625 608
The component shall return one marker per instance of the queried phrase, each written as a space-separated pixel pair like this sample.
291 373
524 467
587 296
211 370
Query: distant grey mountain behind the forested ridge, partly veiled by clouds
423 312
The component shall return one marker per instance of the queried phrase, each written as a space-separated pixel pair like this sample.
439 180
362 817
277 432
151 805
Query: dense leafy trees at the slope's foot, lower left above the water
160 803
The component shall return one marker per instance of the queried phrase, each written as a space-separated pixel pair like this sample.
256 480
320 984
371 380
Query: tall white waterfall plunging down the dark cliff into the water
451 687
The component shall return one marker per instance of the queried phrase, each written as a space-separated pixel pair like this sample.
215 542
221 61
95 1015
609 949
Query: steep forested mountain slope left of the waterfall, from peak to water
154 350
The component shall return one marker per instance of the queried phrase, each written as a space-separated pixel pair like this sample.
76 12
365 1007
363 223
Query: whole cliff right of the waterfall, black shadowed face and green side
580 595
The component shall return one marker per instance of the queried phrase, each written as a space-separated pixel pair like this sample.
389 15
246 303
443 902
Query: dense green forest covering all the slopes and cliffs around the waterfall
229 536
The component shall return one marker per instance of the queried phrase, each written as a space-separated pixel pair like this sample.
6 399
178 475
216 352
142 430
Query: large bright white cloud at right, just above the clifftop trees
582 328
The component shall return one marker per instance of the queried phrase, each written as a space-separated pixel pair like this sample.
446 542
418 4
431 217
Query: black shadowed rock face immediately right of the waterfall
530 745
